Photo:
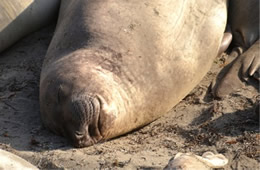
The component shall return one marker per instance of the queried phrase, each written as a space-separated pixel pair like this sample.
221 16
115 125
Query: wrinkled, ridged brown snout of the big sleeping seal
84 117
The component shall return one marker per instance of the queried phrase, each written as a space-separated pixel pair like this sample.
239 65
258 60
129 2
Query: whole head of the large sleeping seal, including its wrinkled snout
72 103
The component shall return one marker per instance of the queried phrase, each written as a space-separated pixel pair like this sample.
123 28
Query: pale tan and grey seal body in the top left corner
21 17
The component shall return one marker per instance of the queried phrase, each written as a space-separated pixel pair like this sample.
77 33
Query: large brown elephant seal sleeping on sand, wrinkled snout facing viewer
114 66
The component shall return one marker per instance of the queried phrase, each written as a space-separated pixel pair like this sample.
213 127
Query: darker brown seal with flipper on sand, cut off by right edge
243 18
